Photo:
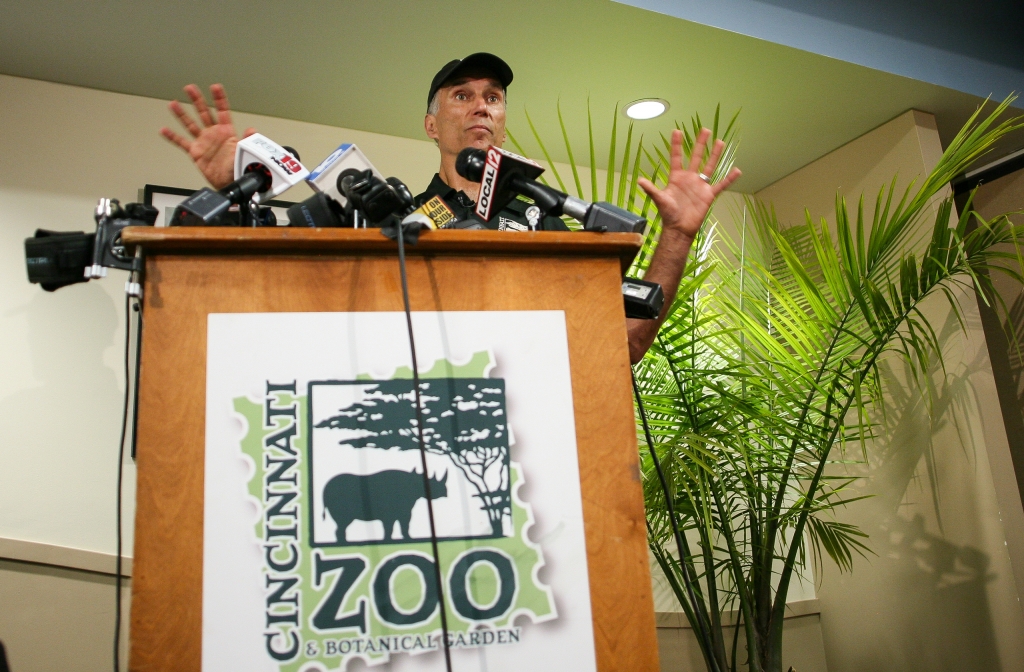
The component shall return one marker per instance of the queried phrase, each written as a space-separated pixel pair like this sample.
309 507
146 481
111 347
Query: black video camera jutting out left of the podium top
56 260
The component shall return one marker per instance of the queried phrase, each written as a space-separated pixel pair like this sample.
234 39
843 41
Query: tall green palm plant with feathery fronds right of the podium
767 367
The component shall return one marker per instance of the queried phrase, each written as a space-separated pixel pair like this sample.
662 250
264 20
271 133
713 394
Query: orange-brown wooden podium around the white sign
191 273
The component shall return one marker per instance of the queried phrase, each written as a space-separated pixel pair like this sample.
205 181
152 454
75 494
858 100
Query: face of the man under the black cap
471 113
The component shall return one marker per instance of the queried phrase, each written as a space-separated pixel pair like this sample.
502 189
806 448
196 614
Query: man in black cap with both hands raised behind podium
466 108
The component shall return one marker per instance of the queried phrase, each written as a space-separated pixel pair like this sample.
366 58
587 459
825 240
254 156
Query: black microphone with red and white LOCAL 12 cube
508 175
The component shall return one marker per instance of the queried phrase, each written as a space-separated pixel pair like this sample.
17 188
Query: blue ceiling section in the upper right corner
974 50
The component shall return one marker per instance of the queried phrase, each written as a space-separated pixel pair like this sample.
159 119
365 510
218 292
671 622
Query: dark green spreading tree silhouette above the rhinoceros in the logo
464 421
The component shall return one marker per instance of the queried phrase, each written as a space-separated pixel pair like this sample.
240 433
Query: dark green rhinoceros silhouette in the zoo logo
386 496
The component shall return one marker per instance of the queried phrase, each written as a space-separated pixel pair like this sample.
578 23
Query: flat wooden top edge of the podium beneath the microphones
225 240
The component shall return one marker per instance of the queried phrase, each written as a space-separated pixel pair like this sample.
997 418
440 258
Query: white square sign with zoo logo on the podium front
317 535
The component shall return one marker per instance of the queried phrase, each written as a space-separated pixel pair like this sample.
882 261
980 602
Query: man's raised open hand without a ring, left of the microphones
212 147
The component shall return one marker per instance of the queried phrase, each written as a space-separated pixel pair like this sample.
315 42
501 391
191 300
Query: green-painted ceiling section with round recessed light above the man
368 65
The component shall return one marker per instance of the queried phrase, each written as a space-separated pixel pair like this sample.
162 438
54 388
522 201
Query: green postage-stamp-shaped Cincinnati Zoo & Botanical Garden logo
349 570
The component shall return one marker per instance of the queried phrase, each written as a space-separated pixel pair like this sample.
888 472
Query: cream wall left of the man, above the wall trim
61 354
